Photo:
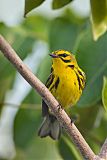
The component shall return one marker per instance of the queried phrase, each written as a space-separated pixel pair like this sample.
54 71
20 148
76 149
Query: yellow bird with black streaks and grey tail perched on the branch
66 82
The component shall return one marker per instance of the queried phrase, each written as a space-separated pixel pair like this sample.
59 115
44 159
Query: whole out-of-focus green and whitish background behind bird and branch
45 30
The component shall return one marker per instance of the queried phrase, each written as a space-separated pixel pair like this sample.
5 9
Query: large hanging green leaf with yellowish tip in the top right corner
99 17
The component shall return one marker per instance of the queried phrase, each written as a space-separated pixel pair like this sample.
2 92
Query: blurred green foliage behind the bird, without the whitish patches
71 33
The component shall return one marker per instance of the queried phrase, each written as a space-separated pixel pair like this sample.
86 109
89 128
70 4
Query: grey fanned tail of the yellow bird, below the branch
50 127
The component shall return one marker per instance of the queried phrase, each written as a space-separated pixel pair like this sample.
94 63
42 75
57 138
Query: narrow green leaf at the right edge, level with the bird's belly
104 93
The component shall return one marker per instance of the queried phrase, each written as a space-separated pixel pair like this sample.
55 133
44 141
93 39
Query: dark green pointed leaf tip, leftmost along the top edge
31 4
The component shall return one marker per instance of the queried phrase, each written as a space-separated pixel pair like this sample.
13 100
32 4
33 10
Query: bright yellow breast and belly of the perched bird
67 92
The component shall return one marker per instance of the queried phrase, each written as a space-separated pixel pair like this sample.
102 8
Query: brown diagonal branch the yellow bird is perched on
60 114
